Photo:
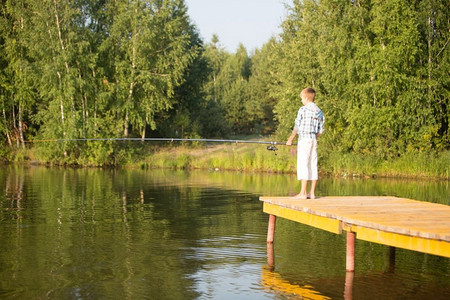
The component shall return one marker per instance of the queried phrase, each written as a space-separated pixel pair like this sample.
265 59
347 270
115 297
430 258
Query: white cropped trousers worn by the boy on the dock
307 159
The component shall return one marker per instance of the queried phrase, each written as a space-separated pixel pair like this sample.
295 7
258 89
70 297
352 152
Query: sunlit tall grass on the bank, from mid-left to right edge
255 158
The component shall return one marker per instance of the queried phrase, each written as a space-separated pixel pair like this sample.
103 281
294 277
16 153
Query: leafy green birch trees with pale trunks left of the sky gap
87 69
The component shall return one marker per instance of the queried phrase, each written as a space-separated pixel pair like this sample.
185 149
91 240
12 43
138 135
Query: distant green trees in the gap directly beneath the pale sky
236 92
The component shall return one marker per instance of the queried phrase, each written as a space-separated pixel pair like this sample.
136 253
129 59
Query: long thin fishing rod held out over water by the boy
271 147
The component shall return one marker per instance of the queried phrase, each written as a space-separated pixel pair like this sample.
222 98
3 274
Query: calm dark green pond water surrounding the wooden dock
134 234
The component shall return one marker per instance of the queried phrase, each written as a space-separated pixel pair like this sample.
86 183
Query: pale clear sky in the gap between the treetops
250 22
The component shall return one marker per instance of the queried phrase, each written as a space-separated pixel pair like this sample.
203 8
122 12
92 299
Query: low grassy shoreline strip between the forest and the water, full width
251 159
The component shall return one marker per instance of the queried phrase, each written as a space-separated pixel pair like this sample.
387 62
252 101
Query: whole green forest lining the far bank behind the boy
139 68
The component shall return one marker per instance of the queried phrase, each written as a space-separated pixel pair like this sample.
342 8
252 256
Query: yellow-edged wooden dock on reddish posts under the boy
396 222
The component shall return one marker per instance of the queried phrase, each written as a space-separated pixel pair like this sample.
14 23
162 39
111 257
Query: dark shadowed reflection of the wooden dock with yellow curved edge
380 281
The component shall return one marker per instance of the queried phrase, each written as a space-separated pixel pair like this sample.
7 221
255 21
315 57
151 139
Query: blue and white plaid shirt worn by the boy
310 121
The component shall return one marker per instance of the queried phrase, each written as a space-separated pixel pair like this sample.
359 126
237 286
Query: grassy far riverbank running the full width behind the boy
256 158
